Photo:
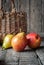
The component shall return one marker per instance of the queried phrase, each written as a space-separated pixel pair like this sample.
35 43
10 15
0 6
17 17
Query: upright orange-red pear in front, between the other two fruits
19 41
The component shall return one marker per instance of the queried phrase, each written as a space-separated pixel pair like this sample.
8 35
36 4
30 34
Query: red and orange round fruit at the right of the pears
34 40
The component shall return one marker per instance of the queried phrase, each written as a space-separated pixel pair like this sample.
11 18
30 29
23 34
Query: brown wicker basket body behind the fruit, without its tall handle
11 22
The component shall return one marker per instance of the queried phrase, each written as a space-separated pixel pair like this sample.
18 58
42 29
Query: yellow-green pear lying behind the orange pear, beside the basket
7 41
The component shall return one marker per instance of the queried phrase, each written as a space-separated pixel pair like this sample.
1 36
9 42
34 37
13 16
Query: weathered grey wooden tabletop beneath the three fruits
27 57
